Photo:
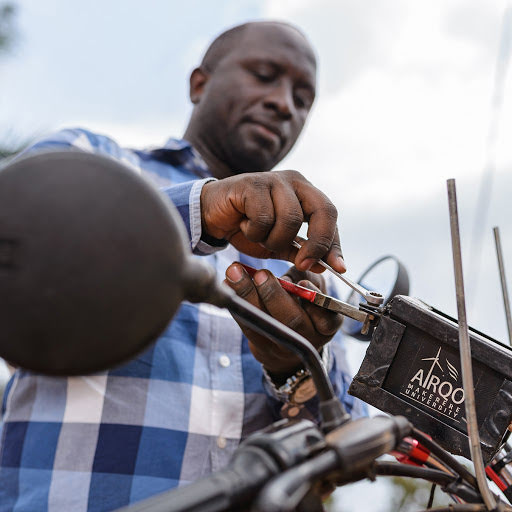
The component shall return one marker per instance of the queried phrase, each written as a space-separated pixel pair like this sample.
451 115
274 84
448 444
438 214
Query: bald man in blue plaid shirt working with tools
178 411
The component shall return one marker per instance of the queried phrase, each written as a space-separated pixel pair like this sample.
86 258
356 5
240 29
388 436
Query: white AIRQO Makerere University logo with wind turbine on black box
435 387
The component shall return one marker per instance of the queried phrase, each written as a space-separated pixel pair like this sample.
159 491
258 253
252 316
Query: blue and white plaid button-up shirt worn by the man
174 414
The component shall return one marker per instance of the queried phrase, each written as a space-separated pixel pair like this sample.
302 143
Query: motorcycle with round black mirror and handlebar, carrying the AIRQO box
292 463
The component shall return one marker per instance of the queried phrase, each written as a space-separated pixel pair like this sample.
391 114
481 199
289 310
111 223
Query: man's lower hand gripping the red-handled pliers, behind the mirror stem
264 291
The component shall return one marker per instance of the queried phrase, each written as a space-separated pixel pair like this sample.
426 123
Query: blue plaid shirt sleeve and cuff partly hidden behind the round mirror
185 196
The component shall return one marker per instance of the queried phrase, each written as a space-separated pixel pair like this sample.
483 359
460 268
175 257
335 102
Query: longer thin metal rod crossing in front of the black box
465 353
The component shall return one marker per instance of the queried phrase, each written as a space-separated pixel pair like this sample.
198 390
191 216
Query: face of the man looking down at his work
256 100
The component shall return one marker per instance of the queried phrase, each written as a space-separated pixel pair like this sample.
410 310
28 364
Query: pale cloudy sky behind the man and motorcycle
410 94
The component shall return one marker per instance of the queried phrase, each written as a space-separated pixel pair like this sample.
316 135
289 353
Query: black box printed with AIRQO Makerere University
412 368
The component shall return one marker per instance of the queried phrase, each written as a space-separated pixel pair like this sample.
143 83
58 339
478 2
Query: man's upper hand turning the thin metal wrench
261 213
